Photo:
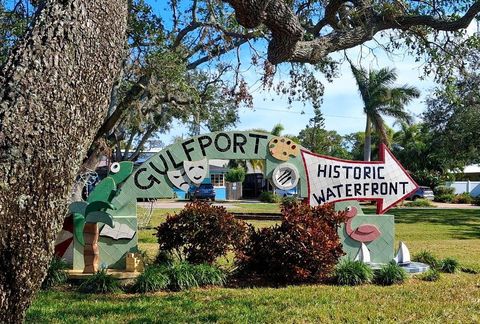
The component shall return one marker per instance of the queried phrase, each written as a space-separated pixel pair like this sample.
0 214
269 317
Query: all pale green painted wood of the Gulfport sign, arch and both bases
150 181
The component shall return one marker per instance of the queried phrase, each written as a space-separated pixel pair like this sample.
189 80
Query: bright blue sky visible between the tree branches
342 106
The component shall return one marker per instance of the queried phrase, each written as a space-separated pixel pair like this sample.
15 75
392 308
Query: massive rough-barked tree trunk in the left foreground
54 93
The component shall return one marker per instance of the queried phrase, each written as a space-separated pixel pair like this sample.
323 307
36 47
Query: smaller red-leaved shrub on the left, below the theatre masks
200 233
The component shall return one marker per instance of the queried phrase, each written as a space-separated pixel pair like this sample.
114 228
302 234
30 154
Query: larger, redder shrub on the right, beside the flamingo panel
304 248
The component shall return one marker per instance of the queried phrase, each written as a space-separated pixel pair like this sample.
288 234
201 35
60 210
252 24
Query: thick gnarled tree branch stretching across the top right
287 41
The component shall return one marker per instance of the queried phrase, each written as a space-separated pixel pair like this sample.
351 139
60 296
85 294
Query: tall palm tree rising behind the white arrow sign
381 99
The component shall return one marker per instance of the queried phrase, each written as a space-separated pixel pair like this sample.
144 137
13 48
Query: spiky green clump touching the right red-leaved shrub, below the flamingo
352 273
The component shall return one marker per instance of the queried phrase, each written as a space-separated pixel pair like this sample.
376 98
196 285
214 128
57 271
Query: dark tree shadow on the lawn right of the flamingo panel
465 221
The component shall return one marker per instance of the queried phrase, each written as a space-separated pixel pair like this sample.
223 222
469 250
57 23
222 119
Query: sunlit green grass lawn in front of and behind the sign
455 298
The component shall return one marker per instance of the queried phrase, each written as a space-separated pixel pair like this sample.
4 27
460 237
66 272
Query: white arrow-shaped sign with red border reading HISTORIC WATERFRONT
330 180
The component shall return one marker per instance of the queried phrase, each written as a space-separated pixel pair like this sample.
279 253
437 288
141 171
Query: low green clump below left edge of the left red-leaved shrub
152 279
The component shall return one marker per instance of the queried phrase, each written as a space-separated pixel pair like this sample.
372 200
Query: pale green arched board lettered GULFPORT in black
150 180
